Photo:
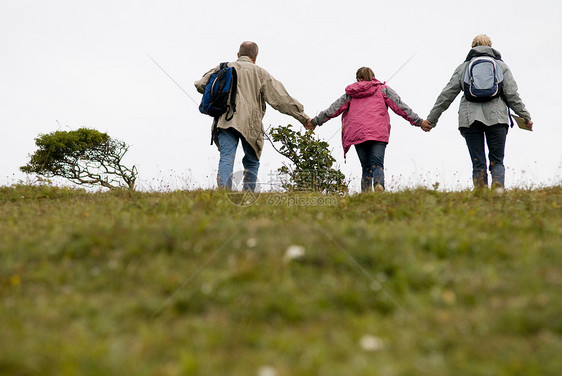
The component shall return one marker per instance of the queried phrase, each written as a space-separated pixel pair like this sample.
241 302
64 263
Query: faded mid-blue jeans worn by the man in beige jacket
228 142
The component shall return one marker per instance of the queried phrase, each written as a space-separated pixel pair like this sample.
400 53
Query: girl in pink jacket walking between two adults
366 123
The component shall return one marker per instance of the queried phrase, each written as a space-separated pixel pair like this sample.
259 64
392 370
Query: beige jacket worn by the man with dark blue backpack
256 87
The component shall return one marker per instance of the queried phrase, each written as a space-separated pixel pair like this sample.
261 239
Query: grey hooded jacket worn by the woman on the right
489 113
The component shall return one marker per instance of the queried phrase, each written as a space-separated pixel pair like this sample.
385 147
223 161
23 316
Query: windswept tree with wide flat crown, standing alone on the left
84 156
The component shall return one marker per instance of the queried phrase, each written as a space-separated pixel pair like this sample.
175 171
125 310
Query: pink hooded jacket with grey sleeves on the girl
365 112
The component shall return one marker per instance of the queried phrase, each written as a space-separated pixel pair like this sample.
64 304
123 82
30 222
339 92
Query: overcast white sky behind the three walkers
70 64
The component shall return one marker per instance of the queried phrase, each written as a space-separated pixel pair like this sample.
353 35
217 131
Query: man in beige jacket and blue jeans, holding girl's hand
256 87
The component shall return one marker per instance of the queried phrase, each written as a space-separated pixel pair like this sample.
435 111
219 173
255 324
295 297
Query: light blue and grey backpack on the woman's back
483 79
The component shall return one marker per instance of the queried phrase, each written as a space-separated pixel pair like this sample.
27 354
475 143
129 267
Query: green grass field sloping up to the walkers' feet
186 283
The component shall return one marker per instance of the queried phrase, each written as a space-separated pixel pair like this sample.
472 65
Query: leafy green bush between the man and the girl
311 168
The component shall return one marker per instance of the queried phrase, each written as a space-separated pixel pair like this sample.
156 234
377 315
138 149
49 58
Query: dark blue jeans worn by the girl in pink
371 156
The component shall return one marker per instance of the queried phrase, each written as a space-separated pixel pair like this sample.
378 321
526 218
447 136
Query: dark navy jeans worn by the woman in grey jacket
495 136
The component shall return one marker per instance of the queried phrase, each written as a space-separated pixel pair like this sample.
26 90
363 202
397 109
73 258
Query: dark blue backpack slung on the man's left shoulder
220 93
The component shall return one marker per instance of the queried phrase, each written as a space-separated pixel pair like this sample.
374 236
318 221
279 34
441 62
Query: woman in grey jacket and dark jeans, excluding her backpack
479 121
